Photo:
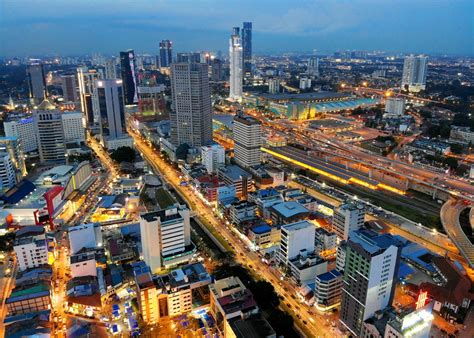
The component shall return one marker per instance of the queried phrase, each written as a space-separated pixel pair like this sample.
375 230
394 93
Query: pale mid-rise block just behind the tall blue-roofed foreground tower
347 217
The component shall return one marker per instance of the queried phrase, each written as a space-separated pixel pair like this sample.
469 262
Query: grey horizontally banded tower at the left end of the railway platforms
247 140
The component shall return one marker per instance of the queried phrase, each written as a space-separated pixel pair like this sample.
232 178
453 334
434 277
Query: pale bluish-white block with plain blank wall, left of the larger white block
84 236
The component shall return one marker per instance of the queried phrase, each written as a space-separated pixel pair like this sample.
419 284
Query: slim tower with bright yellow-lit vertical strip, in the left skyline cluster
86 80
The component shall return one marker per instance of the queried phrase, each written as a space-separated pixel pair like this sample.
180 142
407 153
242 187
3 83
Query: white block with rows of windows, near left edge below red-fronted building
31 248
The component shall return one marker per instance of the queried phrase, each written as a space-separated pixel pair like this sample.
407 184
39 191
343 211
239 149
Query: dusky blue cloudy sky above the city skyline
73 27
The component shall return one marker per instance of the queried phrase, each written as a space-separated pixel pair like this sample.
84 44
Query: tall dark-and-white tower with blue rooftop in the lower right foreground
370 273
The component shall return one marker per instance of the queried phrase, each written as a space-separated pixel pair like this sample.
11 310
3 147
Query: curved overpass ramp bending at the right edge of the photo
450 212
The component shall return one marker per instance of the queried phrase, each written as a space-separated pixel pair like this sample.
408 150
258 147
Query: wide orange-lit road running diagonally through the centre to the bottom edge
305 318
